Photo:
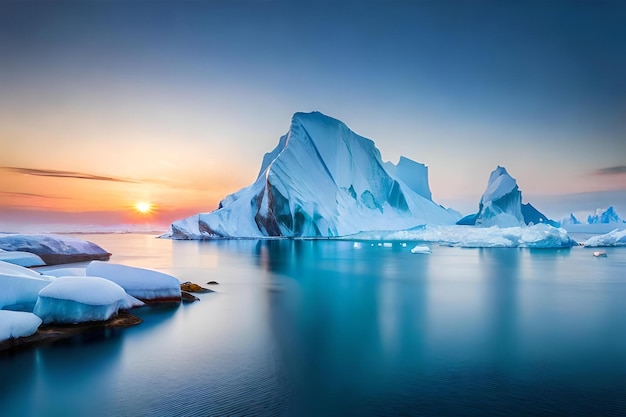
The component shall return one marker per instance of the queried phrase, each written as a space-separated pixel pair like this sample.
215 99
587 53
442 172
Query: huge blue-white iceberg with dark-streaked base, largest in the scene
321 180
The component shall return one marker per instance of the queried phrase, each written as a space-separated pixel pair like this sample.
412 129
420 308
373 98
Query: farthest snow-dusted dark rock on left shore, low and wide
53 249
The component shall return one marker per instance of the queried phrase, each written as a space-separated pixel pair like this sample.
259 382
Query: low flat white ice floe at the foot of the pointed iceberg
536 236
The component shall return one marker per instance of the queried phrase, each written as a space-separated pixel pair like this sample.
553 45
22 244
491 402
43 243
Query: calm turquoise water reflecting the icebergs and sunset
324 328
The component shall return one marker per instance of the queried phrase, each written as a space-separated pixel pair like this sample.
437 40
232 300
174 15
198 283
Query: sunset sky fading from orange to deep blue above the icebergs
104 104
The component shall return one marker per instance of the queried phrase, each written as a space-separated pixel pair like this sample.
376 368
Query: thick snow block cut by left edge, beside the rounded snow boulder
19 286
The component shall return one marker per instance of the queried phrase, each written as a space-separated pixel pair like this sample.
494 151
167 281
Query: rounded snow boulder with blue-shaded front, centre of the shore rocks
80 299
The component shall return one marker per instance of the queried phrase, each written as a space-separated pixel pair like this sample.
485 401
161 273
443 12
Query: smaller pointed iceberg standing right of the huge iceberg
501 205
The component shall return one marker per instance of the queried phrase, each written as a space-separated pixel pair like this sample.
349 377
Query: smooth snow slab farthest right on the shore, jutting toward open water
144 284
